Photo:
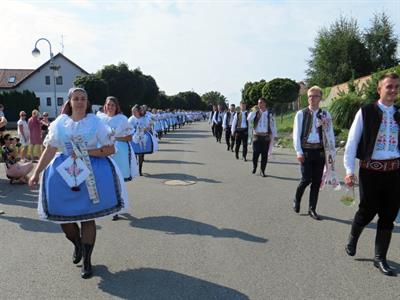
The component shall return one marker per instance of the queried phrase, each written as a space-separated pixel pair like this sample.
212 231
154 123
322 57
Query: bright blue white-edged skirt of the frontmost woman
58 203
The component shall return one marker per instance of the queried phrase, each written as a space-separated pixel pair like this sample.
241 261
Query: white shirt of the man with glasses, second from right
313 138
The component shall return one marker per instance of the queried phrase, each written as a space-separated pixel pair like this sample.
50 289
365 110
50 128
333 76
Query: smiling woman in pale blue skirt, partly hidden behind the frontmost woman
125 157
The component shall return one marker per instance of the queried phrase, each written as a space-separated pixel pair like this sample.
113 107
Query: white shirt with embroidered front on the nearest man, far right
386 140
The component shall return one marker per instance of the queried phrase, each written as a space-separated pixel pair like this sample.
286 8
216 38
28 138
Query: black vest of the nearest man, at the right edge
372 119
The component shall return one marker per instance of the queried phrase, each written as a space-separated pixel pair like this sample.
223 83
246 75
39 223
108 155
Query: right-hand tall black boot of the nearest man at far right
382 242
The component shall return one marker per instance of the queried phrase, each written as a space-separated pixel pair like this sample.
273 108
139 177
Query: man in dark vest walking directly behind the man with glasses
263 129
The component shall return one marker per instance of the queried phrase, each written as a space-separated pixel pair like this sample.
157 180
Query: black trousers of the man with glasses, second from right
311 172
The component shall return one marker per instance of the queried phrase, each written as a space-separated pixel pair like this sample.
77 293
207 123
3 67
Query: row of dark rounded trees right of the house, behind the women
133 87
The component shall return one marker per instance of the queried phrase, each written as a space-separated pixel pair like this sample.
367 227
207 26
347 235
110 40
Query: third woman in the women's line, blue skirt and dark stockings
142 139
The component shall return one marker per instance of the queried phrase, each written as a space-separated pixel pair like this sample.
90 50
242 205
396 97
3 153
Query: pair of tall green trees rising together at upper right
342 51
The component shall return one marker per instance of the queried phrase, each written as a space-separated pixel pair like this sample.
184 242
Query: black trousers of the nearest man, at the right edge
379 194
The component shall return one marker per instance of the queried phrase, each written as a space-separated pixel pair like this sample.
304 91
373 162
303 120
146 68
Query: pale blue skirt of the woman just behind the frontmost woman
126 160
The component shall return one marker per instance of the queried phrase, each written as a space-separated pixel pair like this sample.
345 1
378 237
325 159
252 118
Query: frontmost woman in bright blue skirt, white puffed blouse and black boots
80 183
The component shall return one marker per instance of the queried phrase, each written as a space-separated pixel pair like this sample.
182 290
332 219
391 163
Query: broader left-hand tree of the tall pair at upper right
338 52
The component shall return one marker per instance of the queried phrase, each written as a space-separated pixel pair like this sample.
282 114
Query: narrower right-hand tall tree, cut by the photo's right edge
381 42
